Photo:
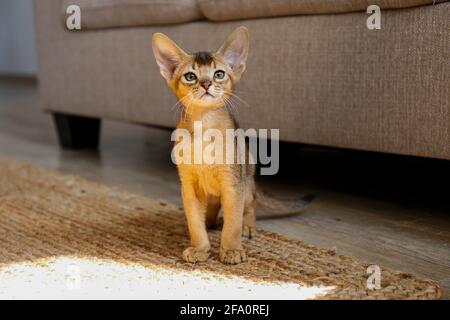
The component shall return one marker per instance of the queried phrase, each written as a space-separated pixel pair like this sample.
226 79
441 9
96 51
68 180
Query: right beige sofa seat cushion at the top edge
222 10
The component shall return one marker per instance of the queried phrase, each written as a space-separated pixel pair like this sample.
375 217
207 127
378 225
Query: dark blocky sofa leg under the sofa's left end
75 132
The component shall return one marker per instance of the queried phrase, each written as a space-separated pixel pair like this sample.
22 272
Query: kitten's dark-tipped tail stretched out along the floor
275 208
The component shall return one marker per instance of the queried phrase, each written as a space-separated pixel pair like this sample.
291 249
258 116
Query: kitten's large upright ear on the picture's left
167 54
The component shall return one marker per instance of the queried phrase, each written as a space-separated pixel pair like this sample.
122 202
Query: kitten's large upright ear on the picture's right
235 50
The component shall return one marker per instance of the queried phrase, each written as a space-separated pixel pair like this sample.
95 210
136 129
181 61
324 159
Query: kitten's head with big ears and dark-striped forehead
202 79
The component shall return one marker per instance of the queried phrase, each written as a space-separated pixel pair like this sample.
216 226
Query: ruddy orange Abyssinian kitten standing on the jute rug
203 82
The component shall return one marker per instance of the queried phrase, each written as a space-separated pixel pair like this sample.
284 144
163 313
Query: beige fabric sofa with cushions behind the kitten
314 70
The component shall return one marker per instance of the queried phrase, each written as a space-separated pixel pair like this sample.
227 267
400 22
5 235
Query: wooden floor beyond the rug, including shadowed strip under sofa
389 210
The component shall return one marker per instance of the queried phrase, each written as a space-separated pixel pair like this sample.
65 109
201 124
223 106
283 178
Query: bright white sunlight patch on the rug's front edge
82 278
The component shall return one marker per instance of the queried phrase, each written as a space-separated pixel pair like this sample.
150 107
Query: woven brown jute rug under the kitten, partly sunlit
64 237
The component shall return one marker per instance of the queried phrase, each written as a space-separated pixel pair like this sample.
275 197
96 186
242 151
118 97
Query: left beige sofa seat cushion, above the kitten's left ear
97 14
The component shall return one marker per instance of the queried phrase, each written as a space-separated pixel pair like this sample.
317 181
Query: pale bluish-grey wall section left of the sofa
17 45
